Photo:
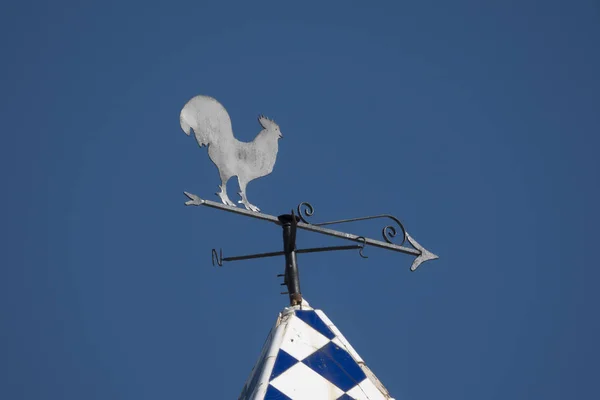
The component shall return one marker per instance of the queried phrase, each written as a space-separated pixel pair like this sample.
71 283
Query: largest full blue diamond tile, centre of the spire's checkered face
336 365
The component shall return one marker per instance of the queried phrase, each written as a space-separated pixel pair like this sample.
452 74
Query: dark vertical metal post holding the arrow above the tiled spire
292 278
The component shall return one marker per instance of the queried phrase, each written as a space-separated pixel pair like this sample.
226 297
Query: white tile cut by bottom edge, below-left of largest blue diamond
302 383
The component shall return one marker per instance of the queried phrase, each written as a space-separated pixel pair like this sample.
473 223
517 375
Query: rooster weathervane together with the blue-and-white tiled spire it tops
305 356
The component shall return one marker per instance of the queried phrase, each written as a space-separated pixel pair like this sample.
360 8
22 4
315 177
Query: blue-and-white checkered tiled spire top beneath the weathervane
306 357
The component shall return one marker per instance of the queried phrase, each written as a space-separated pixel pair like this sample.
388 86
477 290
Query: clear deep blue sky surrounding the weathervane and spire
476 123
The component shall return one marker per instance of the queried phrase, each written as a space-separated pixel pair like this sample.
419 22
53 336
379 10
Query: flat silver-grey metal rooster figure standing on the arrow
212 127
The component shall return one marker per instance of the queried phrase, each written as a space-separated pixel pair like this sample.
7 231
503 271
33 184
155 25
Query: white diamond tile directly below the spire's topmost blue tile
301 340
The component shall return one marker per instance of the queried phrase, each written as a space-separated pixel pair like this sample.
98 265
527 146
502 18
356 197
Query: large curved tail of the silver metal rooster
207 118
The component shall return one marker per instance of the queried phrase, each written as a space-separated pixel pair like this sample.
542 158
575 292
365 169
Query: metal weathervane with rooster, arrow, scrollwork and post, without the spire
211 125
